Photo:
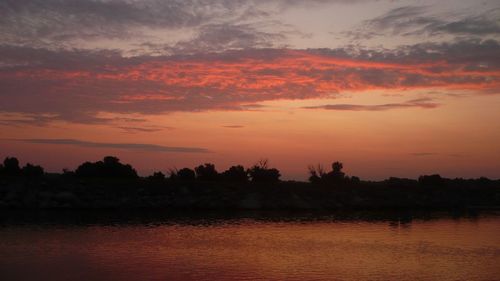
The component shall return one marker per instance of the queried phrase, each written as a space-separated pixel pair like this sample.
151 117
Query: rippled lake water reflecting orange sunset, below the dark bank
255 246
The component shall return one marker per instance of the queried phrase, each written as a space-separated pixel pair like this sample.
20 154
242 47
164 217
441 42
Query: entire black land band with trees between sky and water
111 184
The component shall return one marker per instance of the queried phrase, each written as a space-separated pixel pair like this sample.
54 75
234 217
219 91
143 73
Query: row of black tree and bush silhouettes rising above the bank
261 172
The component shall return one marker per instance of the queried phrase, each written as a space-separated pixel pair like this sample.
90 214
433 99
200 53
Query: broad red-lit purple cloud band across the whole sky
44 85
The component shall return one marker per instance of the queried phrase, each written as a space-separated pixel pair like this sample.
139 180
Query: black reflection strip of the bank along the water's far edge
211 217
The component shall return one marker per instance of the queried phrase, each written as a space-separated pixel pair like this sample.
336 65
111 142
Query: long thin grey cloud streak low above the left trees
127 146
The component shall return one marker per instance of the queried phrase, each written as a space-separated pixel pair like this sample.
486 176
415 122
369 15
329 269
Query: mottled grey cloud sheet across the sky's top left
57 23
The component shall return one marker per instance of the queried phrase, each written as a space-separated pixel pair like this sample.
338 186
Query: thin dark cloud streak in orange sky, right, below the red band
425 103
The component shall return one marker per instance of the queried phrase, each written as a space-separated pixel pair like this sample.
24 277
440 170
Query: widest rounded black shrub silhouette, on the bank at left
110 167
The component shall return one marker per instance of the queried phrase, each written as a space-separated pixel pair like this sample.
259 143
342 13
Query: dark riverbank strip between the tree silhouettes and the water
59 192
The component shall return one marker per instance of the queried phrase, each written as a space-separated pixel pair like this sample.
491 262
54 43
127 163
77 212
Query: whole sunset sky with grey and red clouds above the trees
389 88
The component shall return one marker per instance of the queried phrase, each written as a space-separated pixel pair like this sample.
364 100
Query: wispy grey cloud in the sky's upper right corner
418 20
